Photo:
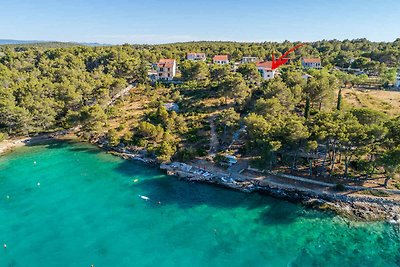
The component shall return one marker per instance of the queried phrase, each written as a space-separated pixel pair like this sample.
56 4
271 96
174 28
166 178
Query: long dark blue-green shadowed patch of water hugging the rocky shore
173 191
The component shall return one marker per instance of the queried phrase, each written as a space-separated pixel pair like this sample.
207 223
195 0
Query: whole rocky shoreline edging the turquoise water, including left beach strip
362 208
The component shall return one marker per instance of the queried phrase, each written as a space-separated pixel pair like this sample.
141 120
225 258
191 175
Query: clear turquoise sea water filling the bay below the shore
86 211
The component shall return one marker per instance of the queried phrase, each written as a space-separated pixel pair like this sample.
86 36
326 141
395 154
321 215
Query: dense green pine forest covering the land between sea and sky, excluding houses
289 122
